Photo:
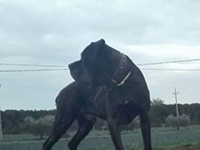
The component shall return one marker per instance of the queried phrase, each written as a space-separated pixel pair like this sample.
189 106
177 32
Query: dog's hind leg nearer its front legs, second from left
85 125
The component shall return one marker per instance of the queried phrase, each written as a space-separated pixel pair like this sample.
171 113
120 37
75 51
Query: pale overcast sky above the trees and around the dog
56 31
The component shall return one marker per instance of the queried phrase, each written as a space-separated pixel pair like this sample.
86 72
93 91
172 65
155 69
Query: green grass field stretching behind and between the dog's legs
162 138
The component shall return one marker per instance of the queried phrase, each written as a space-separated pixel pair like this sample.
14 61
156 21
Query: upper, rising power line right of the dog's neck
169 62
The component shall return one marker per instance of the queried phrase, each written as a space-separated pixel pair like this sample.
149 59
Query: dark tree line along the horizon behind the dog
40 122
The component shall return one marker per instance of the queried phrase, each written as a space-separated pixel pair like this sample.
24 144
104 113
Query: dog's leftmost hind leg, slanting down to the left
60 127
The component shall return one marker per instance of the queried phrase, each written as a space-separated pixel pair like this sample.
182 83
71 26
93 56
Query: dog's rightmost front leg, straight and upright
146 130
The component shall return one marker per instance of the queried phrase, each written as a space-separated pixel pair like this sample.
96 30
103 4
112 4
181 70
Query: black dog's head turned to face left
97 64
